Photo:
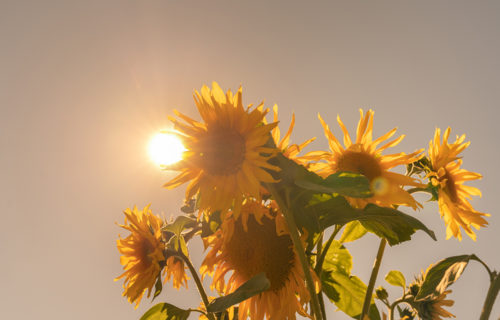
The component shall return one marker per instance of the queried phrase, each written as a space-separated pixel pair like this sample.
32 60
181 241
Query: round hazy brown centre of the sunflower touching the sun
222 152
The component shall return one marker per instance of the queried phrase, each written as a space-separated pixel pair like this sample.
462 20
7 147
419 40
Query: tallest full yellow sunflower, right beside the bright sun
226 155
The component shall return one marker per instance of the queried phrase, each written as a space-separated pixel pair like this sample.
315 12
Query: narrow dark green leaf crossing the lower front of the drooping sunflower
252 287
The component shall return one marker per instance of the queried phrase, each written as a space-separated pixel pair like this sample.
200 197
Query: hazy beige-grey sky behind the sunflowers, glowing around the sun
84 85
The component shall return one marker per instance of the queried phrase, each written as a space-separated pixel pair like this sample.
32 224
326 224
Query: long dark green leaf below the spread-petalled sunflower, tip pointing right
391 224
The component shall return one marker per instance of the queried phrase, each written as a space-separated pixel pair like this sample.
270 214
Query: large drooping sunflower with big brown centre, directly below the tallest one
249 248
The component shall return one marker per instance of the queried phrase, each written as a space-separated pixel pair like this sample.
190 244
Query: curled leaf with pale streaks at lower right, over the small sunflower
443 274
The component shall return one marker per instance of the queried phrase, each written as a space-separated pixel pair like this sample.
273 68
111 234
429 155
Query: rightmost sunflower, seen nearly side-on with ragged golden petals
446 174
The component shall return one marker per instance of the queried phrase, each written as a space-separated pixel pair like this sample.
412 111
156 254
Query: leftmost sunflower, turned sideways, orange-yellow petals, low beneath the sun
142 253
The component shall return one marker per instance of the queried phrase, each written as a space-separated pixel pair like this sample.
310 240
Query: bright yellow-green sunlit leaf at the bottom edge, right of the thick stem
350 294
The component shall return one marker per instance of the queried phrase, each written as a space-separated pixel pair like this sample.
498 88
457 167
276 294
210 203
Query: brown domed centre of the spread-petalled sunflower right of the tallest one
359 162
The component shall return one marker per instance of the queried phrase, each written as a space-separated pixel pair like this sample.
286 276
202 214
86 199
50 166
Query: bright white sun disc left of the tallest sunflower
166 149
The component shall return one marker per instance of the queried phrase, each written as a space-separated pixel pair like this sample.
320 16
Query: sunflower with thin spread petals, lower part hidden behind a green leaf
365 157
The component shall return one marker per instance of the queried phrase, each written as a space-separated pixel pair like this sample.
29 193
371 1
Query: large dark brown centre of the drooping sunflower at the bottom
261 250
